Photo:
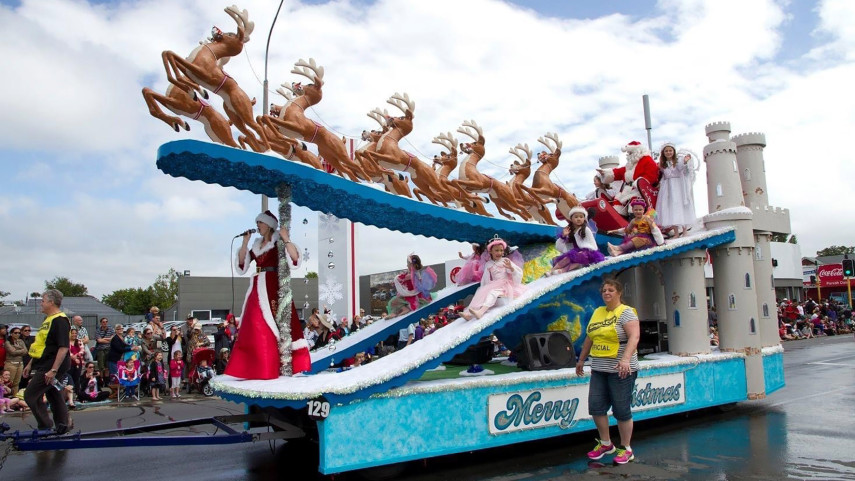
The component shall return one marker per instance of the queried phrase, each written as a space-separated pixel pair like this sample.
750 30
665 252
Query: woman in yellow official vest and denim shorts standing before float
612 339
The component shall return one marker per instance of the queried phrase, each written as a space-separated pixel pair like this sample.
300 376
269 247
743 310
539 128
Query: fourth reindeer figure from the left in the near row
469 179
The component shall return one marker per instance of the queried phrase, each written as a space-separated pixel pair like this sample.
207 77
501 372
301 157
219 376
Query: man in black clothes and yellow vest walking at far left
49 361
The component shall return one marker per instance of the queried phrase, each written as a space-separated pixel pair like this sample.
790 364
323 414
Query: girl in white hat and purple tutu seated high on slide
576 243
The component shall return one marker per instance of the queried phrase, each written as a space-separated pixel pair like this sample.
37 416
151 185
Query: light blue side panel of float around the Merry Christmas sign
421 425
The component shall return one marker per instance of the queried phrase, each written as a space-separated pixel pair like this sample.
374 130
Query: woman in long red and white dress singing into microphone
256 351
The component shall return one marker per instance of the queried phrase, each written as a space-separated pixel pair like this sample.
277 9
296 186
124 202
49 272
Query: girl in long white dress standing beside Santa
675 204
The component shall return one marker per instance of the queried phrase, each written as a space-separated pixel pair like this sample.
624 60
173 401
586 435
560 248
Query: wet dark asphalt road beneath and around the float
804 431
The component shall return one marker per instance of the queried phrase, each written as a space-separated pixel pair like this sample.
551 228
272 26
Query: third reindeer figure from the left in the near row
389 155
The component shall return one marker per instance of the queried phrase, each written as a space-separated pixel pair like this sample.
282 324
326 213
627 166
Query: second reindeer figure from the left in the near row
292 121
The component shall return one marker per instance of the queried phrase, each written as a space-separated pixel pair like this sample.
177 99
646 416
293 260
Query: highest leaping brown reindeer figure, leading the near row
203 69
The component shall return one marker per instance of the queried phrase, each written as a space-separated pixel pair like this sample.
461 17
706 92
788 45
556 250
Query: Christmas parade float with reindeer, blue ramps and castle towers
385 400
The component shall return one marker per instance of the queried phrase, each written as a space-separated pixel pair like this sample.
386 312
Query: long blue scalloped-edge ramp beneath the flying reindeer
323 192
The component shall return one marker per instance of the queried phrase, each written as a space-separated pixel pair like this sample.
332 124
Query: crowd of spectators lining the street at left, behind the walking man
117 357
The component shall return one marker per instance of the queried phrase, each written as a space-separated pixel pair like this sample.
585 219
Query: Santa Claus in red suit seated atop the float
640 177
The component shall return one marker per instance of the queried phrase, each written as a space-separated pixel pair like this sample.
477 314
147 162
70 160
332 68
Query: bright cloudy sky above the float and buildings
83 197
